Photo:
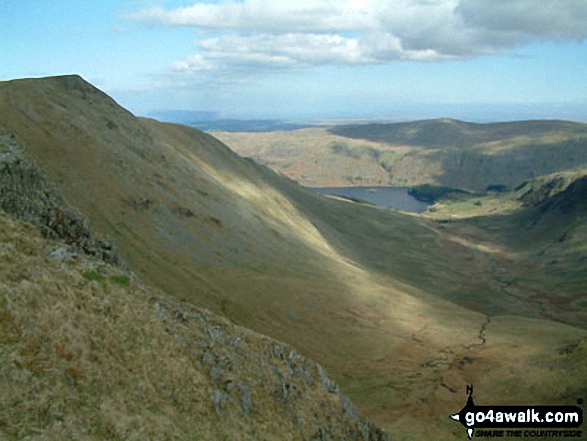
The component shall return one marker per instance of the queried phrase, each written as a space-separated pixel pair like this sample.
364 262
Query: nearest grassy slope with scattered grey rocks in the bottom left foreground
86 352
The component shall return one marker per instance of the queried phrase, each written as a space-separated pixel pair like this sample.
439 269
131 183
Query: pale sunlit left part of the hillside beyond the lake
318 158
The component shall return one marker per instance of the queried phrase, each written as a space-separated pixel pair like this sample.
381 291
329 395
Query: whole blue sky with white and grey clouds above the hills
478 60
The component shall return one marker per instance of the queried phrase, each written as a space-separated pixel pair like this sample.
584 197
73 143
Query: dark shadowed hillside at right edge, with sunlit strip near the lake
543 223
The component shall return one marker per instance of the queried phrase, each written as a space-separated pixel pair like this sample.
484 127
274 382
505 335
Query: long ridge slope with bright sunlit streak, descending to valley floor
390 304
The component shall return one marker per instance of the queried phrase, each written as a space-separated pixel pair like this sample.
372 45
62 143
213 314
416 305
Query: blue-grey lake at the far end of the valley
388 197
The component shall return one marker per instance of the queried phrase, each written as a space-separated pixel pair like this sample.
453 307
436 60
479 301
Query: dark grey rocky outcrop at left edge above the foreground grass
26 194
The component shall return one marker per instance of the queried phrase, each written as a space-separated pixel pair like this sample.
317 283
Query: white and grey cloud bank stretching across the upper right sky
268 35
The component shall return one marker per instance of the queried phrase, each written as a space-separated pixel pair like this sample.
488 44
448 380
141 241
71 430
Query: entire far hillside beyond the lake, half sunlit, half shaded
445 152
